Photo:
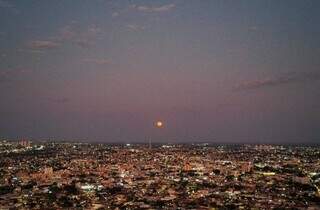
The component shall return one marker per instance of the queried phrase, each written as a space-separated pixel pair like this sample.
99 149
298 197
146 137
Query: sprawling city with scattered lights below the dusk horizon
62 175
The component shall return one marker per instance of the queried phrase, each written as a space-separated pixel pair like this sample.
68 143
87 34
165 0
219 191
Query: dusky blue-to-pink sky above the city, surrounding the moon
221 71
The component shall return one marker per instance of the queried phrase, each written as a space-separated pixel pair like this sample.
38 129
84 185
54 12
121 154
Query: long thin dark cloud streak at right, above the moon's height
277 81
